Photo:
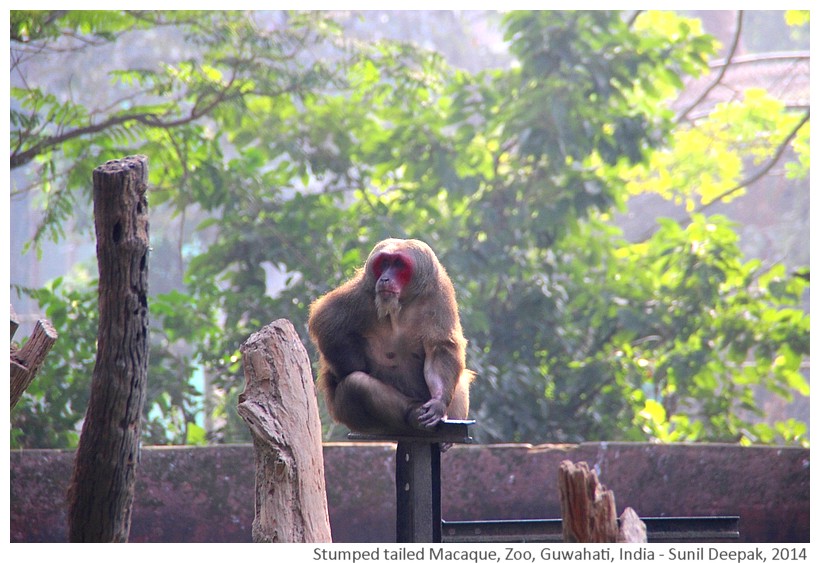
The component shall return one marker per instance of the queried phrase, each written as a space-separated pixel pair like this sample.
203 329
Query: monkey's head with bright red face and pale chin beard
397 270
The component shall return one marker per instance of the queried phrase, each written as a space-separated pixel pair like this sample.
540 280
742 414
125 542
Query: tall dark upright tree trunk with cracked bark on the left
102 485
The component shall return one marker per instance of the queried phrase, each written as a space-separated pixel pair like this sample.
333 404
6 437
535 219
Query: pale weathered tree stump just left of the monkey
279 405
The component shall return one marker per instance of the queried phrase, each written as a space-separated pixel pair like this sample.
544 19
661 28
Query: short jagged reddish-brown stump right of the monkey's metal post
588 509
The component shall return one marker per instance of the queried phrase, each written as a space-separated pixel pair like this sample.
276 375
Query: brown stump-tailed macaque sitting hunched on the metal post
392 354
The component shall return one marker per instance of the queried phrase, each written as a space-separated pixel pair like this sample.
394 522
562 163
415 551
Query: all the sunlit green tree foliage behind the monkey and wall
295 150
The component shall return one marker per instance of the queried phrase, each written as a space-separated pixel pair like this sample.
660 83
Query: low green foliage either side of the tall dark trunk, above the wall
50 412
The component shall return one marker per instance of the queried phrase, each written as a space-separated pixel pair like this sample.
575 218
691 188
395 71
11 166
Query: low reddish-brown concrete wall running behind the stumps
188 494
